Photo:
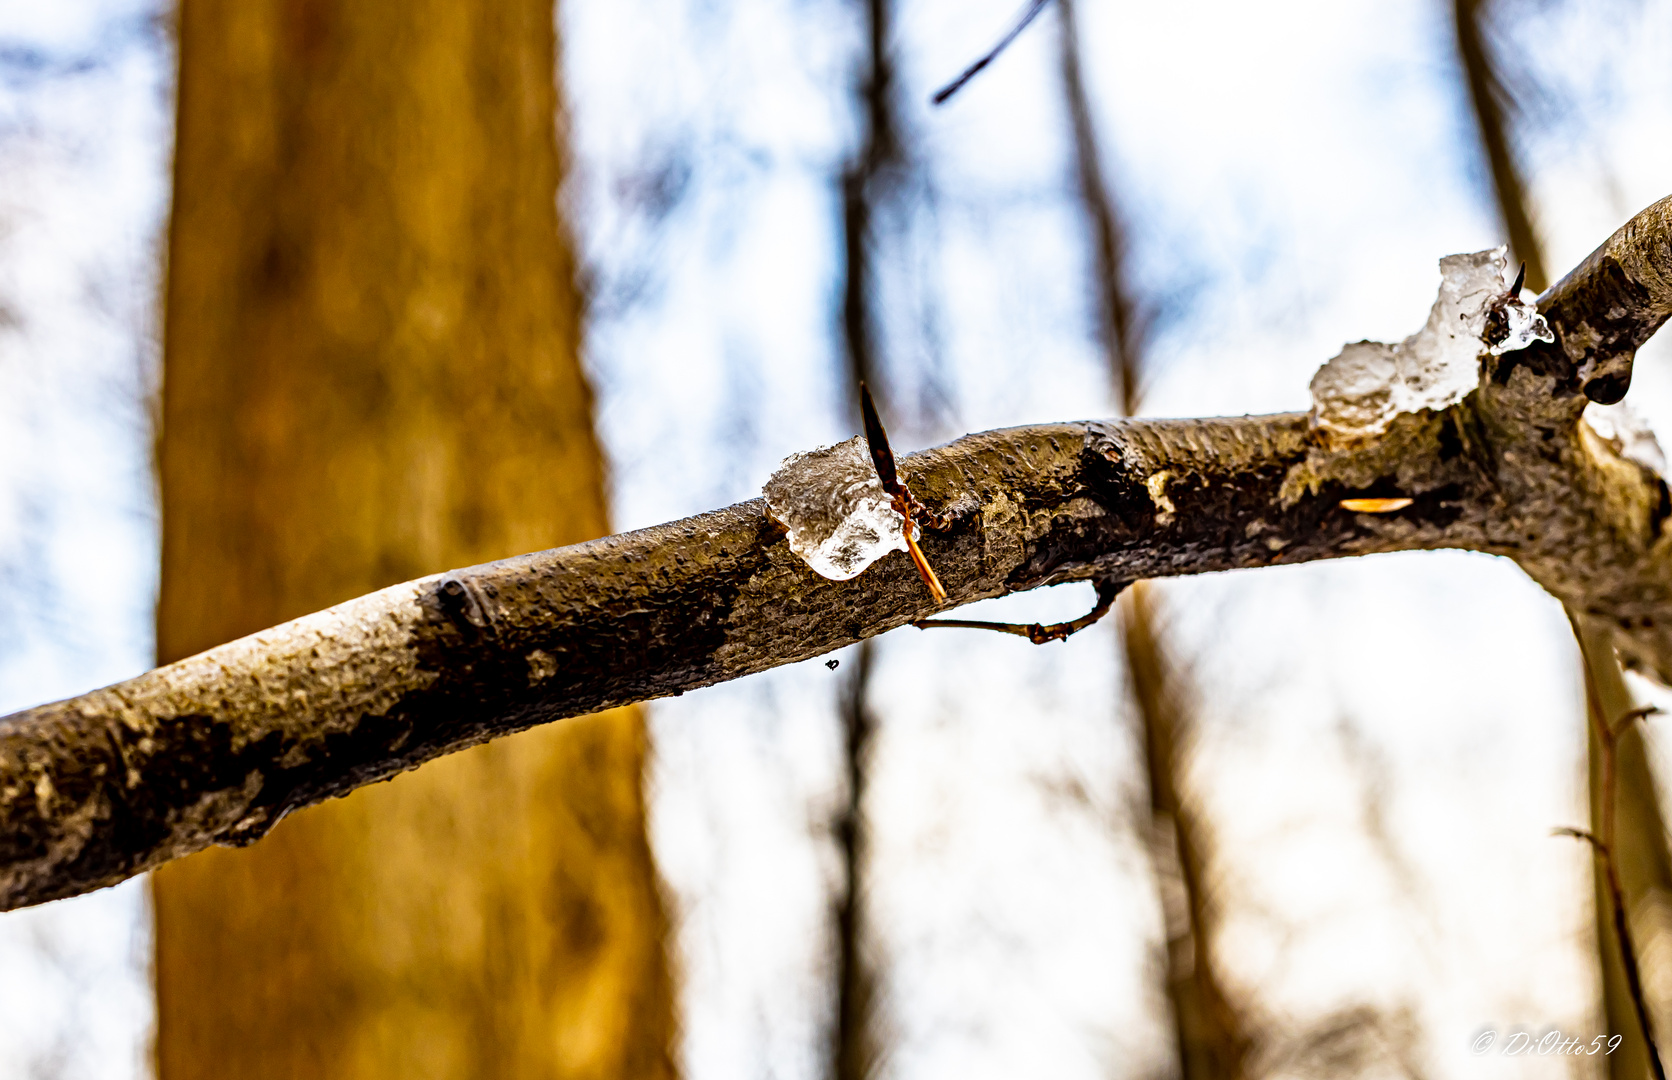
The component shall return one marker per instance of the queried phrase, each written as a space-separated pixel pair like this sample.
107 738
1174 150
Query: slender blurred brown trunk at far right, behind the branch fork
1641 852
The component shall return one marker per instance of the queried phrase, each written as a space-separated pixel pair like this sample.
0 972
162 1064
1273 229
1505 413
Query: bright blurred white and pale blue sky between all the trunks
1382 746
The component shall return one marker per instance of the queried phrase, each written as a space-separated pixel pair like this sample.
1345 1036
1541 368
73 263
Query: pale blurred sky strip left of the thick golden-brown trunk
84 141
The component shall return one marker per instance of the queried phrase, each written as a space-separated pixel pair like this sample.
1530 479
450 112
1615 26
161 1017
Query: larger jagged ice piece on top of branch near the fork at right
1360 392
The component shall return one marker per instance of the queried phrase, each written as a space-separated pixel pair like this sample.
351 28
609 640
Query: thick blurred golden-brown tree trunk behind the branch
372 375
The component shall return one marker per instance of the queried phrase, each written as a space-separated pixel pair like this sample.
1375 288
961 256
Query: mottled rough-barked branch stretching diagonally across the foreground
218 748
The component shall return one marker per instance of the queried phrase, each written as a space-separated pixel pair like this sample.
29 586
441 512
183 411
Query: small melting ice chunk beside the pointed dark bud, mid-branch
839 516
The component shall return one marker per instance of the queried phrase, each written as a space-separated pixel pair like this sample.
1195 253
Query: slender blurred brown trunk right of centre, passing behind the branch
1213 1036
